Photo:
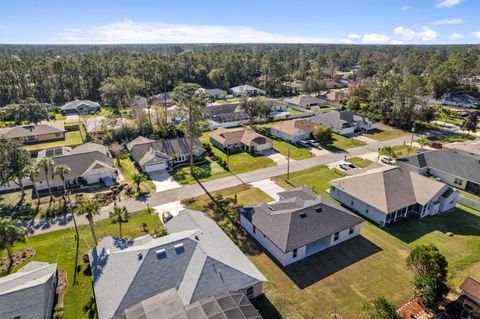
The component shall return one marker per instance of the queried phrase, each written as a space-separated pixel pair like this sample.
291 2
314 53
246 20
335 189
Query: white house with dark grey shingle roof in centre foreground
299 225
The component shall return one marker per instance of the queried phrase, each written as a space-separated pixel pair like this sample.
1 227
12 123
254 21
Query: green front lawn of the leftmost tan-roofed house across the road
240 162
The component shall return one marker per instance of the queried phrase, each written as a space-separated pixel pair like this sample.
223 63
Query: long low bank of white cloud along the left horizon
128 31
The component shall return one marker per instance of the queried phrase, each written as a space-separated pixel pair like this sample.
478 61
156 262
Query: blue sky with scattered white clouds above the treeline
247 21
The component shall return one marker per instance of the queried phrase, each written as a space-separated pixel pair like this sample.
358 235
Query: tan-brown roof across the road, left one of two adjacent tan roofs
236 136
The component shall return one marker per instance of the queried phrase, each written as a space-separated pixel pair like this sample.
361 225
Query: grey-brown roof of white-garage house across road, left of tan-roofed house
166 149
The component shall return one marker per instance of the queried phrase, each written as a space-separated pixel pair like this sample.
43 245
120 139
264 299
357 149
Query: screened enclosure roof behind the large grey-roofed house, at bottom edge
168 305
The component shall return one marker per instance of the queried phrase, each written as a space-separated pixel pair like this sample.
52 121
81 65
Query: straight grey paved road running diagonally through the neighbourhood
188 191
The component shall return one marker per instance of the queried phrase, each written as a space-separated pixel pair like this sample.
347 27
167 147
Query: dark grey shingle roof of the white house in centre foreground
300 217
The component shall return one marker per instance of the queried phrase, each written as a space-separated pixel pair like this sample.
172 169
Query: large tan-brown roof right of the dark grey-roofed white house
389 188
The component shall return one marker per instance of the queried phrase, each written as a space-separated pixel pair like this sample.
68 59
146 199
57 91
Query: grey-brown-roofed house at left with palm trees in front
89 164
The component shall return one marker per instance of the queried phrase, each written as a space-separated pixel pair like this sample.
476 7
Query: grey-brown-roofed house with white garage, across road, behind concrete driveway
154 155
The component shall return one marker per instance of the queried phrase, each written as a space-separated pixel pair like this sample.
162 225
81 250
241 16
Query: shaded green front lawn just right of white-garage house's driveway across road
203 172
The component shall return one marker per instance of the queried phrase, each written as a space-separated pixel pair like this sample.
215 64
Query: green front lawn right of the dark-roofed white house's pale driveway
316 178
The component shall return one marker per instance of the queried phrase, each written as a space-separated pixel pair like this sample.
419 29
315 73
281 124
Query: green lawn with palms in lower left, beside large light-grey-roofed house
59 247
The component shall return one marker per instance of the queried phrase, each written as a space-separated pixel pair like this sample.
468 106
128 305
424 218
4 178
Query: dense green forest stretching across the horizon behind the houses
387 75
